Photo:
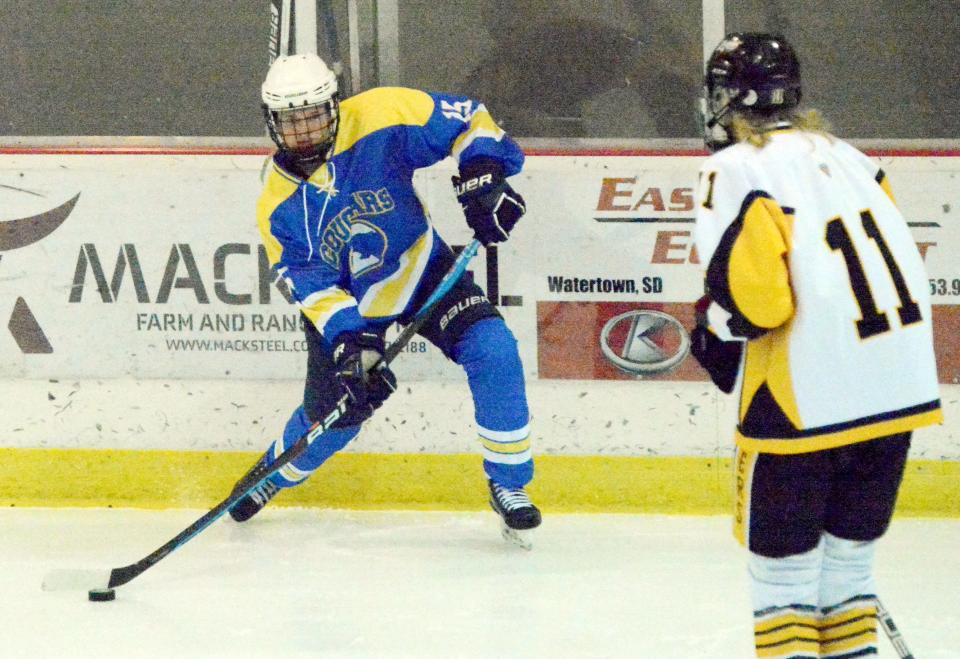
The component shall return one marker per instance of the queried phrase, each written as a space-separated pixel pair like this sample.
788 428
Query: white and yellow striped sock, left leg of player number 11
784 592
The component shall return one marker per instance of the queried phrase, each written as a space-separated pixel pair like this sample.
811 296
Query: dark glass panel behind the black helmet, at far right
882 69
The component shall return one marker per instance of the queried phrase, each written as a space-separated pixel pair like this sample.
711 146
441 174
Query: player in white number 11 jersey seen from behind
817 305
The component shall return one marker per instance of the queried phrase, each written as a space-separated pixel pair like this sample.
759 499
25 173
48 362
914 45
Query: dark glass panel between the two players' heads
561 68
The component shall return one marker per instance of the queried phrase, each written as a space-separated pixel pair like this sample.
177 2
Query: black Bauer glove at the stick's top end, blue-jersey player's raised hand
491 206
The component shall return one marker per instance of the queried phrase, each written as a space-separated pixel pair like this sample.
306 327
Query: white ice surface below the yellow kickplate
309 583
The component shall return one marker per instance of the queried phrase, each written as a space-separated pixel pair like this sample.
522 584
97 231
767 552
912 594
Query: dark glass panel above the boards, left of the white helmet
165 67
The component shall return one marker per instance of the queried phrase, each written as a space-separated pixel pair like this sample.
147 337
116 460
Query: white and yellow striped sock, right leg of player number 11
848 611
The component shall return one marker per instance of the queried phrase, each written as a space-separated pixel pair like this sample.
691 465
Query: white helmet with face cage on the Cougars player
301 105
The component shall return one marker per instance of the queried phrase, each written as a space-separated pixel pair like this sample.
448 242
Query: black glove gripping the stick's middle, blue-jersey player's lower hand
354 354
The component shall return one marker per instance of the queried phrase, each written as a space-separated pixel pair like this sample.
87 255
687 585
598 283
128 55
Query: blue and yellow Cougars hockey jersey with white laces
354 241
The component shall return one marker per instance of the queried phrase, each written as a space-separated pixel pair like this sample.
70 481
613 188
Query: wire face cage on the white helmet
307 131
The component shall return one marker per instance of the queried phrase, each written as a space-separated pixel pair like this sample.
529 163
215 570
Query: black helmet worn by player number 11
749 73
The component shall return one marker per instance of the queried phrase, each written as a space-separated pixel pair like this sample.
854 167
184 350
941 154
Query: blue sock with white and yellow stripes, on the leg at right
487 351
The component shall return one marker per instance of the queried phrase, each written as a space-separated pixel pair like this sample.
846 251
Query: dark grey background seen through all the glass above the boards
545 68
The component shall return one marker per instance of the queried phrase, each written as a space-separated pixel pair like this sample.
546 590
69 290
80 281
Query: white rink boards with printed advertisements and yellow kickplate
147 356
